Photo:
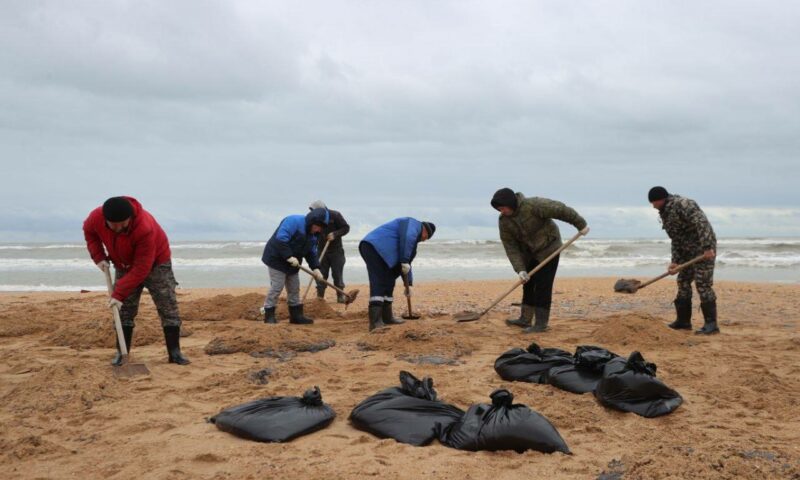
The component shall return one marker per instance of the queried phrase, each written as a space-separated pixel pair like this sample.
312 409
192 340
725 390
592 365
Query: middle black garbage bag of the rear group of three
583 375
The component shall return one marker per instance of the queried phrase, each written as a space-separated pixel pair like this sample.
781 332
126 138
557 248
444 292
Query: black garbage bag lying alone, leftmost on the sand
276 419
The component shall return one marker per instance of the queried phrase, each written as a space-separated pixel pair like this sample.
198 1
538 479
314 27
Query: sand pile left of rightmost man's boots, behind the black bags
636 331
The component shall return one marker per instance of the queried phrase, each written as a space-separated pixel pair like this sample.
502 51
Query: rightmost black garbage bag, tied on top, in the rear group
631 386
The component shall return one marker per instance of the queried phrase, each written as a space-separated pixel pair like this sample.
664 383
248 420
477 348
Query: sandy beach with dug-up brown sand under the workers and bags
64 415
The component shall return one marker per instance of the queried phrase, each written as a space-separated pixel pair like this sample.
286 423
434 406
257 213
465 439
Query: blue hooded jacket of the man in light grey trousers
292 238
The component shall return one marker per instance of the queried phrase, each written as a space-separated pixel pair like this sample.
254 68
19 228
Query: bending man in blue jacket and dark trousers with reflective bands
388 252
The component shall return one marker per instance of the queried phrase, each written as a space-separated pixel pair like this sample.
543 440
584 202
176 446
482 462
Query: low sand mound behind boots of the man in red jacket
99 333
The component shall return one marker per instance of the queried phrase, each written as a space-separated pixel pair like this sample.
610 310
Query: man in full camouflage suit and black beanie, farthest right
691 235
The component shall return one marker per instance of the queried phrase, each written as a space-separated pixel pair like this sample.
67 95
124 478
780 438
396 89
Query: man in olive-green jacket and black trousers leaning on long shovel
529 235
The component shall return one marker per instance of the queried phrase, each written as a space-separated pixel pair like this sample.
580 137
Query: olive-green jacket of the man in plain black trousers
530 233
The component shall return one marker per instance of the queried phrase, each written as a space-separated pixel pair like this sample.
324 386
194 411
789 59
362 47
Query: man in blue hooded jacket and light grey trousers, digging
294 239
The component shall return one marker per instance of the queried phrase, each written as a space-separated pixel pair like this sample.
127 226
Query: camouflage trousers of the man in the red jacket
161 285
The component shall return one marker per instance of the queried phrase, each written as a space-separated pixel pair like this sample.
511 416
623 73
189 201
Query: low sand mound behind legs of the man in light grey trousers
246 307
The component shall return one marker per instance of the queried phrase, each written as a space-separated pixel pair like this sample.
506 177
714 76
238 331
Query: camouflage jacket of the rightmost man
687 227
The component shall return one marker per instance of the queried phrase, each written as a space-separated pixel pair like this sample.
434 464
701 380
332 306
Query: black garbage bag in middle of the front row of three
409 413
